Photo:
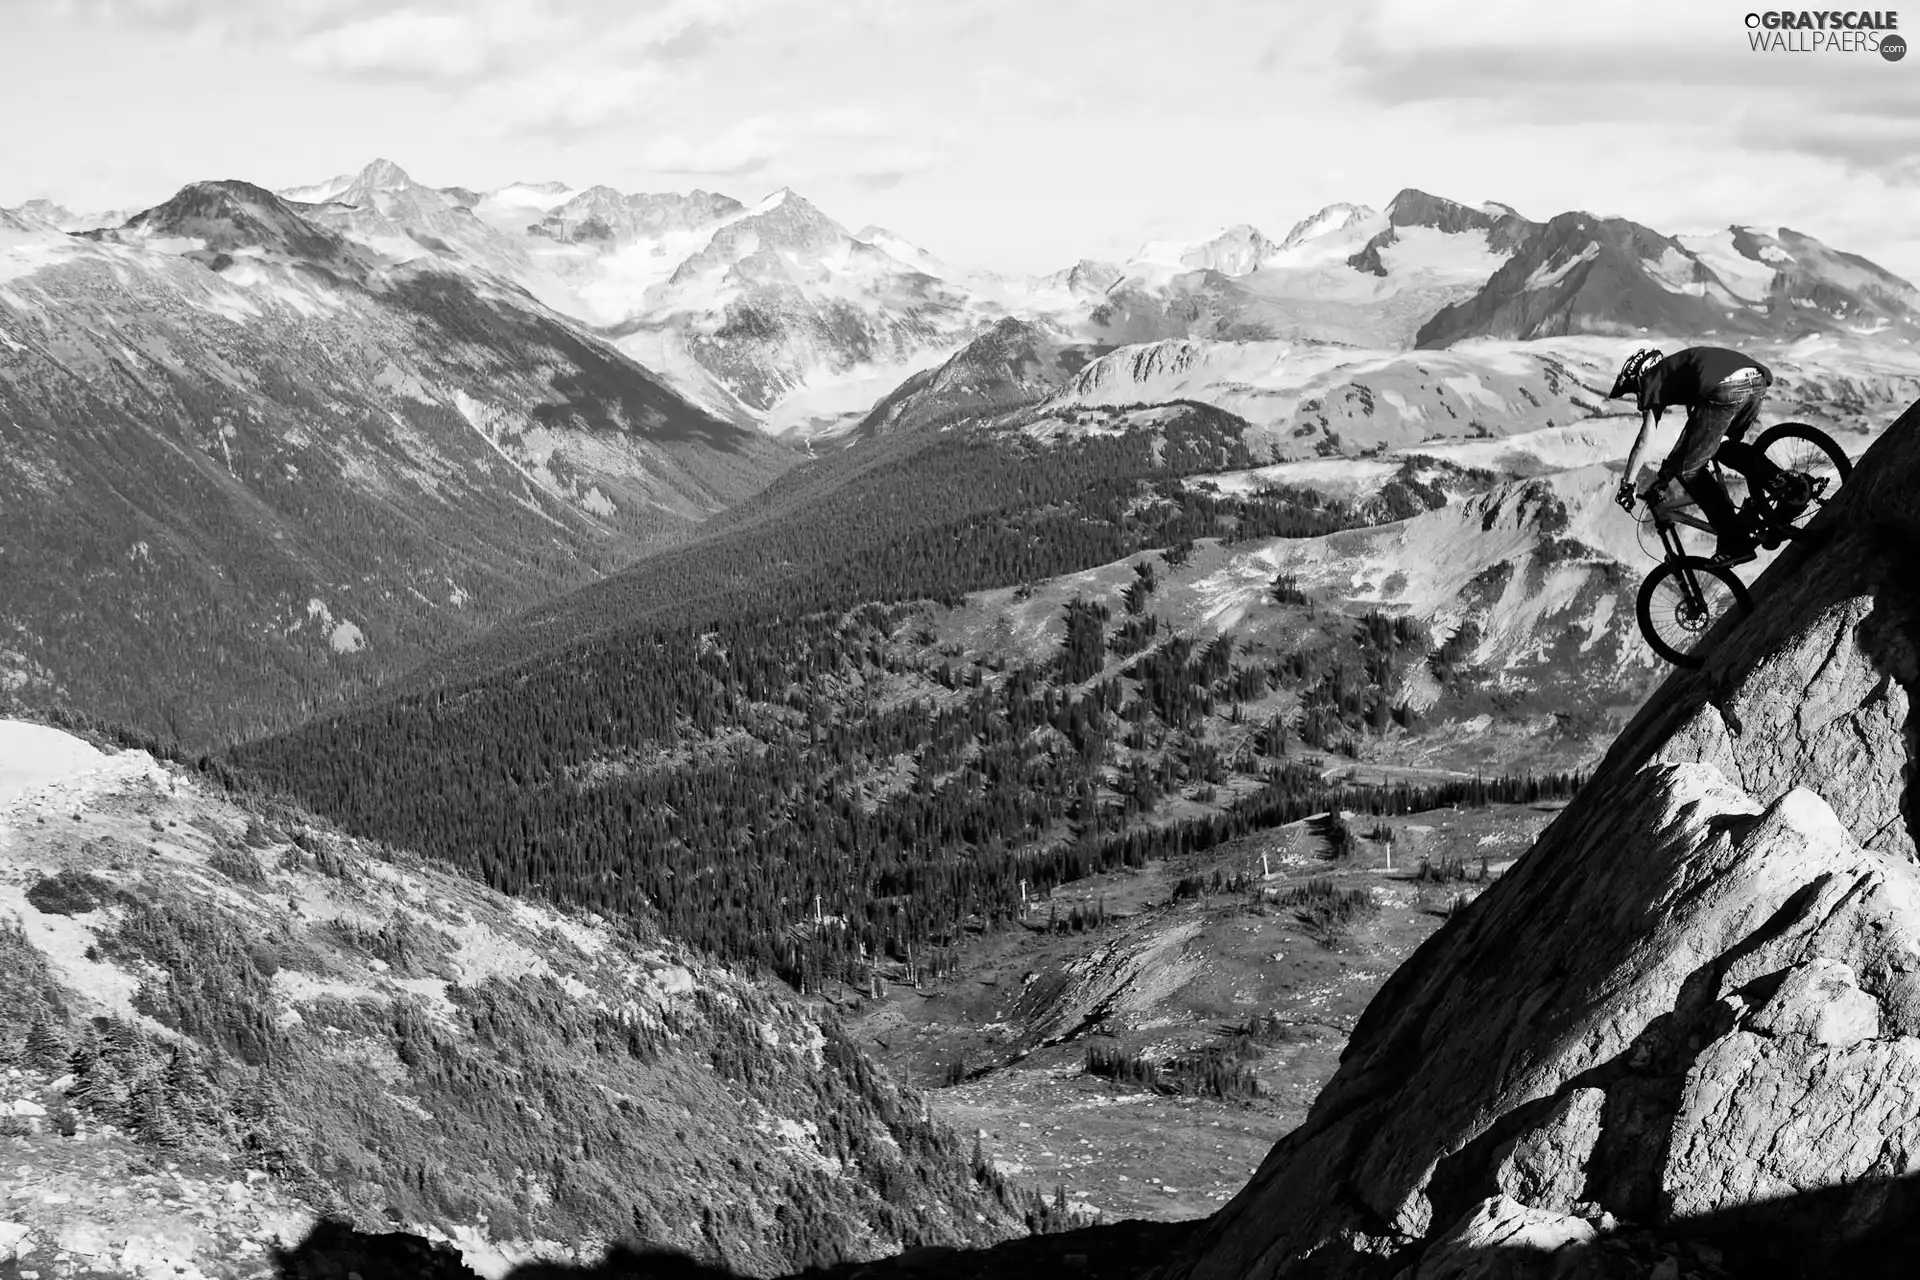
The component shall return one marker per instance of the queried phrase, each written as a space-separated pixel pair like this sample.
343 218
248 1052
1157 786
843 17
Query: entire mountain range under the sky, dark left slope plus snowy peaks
327 433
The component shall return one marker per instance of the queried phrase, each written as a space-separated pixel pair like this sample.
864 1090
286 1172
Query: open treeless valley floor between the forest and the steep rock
1174 976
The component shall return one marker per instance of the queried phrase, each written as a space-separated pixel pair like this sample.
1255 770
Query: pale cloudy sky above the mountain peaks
1013 135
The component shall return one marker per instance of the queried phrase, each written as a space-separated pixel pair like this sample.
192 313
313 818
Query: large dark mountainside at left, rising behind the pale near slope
249 463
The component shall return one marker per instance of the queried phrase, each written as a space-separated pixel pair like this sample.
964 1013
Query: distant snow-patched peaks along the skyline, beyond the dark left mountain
773 314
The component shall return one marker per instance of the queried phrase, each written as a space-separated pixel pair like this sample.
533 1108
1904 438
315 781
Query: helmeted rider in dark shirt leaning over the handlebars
1723 394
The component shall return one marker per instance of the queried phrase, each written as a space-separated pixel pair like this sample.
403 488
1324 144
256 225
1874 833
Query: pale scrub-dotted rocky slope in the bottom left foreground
224 1022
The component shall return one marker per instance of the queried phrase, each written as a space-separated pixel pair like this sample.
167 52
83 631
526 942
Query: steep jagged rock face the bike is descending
1692 1008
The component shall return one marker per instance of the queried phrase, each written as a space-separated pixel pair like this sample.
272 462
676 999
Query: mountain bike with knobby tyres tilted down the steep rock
1779 485
